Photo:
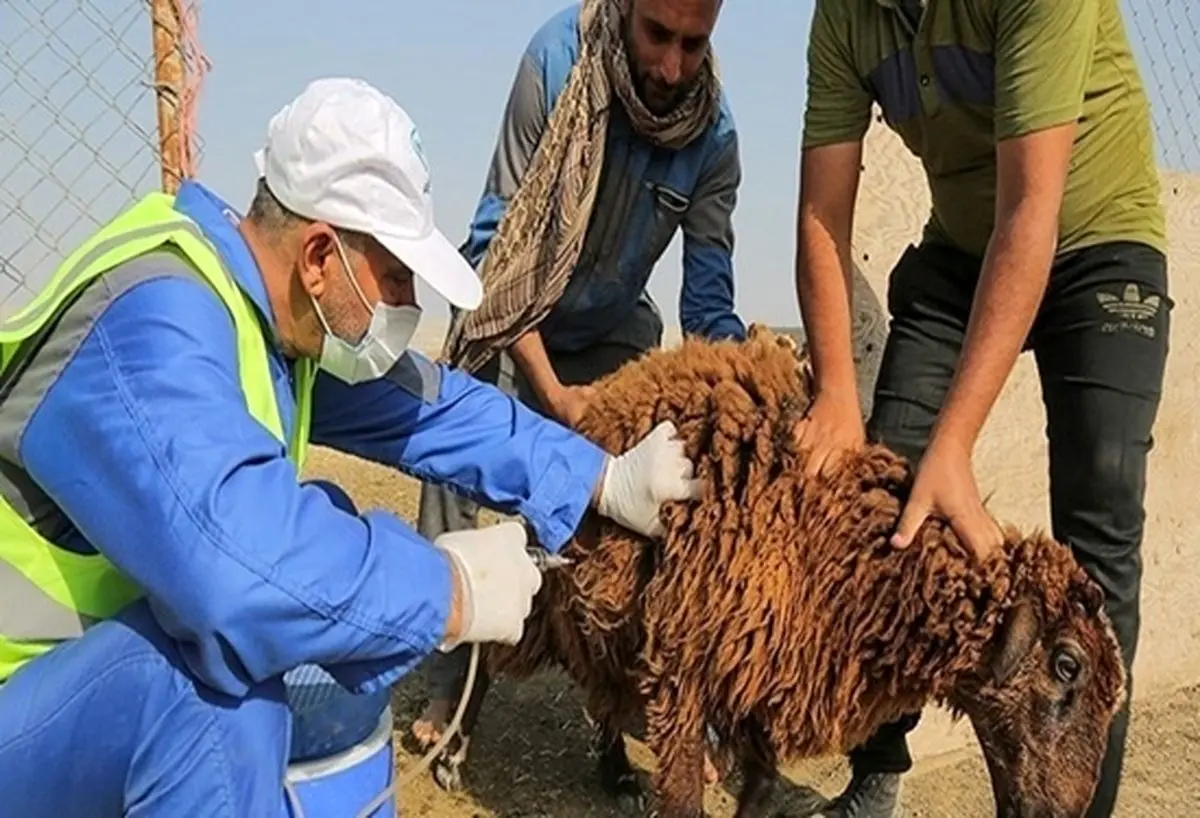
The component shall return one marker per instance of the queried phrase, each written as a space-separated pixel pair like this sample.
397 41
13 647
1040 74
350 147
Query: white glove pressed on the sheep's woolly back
640 482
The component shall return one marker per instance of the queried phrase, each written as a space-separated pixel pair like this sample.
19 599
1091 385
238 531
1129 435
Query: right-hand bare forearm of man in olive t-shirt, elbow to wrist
1012 285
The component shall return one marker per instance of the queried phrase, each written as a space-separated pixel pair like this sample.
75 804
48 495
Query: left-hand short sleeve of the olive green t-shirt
839 103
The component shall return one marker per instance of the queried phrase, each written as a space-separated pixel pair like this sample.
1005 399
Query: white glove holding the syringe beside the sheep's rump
499 581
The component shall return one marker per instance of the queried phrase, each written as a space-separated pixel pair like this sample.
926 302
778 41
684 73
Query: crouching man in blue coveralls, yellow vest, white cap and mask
161 564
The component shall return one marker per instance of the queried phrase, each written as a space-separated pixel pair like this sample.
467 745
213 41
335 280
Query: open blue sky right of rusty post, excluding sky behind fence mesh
451 65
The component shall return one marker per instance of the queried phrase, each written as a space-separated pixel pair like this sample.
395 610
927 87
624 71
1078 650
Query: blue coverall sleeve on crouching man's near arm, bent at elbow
146 444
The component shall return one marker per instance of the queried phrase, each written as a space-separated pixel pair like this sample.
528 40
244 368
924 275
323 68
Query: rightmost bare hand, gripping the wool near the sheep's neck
946 485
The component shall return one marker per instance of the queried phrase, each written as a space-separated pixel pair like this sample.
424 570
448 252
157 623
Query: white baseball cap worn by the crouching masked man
347 154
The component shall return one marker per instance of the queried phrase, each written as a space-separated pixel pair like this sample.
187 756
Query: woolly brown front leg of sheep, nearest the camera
676 736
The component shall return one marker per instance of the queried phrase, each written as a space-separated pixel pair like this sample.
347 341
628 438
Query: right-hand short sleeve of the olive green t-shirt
1045 55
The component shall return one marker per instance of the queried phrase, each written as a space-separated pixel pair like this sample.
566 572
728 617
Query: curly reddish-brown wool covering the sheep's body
775 610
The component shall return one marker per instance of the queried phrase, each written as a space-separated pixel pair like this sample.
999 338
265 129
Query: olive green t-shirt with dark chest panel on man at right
975 73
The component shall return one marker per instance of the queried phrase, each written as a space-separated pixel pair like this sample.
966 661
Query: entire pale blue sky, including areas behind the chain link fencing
449 63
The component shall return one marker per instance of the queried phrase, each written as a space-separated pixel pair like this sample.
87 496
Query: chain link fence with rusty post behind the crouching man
95 106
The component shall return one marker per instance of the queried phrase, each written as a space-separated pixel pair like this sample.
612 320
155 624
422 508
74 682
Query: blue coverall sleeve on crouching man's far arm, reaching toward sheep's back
443 426
